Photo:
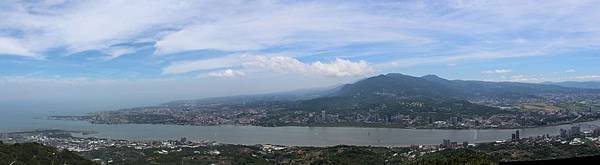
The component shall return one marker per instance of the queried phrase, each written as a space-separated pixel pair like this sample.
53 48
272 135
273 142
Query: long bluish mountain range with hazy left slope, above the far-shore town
400 86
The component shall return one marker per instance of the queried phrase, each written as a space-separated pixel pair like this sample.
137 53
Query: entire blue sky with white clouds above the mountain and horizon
133 52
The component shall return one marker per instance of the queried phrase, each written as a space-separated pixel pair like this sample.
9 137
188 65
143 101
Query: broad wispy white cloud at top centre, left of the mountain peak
264 25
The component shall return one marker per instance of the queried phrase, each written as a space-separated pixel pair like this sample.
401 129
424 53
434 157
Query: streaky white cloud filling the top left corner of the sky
91 25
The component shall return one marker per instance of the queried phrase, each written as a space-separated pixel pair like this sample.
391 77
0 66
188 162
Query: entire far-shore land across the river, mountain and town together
392 100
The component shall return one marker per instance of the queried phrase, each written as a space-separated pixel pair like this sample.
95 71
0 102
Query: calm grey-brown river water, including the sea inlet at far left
303 136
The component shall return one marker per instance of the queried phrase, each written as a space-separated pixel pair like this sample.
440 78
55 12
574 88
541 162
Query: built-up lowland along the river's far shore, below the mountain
549 110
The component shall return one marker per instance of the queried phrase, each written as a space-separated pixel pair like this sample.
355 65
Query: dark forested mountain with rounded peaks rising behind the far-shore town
430 94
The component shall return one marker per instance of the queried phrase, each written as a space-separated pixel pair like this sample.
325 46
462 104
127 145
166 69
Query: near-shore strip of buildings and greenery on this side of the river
570 143
